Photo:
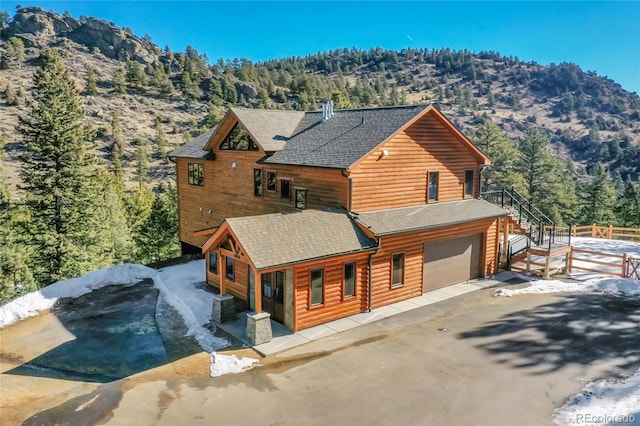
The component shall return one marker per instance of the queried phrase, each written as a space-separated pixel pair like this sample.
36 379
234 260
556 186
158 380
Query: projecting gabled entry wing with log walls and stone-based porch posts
298 268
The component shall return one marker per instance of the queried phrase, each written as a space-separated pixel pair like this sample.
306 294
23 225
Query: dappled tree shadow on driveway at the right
577 329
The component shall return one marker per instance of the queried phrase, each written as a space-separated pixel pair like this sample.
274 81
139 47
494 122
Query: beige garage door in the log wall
451 261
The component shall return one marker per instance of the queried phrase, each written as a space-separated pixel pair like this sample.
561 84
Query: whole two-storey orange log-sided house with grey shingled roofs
315 216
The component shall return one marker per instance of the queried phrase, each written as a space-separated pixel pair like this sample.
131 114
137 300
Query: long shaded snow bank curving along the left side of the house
181 286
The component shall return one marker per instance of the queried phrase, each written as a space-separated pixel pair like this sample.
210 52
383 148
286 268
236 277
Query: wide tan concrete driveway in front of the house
473 359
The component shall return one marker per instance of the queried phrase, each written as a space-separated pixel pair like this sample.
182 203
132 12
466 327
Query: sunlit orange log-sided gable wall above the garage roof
400 178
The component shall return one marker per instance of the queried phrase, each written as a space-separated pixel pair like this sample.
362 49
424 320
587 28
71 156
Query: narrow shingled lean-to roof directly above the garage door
428 216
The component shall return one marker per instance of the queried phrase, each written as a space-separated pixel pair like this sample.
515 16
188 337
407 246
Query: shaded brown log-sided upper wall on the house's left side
228 192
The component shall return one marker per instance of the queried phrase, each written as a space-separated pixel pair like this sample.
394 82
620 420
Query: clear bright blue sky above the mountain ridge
601 36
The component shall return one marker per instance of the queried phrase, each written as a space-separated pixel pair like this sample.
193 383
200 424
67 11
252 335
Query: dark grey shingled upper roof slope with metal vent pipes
344 138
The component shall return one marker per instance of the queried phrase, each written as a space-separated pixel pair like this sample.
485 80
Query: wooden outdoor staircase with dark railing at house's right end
531 242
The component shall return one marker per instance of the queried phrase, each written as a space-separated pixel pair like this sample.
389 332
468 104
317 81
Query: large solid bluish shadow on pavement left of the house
118 331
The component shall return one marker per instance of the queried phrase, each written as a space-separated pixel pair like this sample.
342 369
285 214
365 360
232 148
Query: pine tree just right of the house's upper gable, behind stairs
503 154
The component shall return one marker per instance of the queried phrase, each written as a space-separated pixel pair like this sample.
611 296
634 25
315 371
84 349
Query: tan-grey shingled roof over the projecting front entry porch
280 239
